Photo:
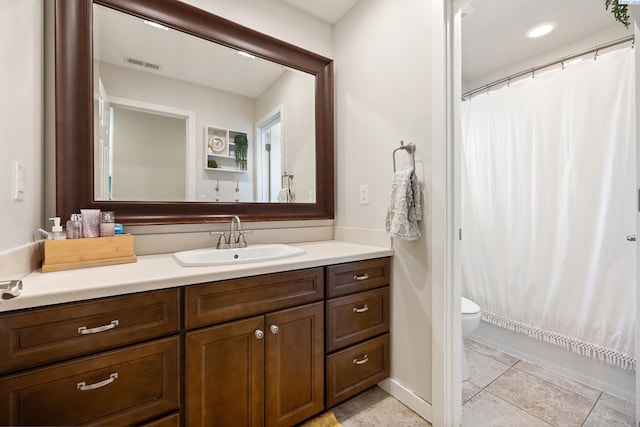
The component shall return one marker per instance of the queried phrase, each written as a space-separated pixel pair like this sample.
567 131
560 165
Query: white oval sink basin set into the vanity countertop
252 253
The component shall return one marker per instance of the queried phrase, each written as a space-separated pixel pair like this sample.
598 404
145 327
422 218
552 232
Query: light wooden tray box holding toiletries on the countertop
88 252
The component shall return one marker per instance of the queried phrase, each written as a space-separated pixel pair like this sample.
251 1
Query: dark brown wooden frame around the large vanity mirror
74 116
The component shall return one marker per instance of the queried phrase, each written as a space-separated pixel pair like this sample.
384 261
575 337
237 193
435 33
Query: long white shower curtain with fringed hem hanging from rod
548 199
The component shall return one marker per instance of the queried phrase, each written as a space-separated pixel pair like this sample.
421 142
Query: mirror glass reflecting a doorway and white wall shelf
178 118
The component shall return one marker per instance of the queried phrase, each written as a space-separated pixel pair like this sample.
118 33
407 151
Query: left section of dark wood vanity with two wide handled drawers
109 361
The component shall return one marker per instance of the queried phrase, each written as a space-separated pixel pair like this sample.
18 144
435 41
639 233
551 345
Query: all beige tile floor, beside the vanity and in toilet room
502 391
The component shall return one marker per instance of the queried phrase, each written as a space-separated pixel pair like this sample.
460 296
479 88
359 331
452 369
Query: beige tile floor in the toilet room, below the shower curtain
506 391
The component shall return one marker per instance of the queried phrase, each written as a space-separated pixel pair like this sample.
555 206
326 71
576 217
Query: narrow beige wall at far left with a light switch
21 121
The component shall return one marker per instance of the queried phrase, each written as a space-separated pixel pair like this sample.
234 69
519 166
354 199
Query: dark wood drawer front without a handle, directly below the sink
217 302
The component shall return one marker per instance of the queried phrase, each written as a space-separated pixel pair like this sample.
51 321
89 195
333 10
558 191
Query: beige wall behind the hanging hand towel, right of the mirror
382 54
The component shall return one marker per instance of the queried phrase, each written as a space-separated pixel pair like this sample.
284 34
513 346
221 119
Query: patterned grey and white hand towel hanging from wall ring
405 208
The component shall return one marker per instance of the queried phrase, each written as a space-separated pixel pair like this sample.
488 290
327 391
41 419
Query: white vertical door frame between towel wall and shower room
446 291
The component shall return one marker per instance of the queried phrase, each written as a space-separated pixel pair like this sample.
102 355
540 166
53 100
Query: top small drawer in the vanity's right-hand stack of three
344 279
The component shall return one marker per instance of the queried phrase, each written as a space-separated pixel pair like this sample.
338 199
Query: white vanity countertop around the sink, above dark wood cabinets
162 271
